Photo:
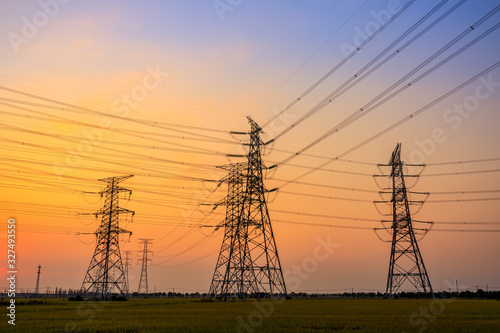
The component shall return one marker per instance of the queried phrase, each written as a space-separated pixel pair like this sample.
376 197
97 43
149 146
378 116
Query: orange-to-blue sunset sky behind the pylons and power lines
91 89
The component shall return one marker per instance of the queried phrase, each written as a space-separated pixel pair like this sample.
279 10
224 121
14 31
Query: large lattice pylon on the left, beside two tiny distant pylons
105 273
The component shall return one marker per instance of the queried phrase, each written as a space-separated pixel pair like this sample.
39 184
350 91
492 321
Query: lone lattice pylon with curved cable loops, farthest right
406 262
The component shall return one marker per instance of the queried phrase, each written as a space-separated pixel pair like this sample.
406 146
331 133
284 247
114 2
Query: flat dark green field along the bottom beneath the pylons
296 315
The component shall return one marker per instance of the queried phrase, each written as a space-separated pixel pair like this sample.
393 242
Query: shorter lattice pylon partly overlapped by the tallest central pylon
233 275
